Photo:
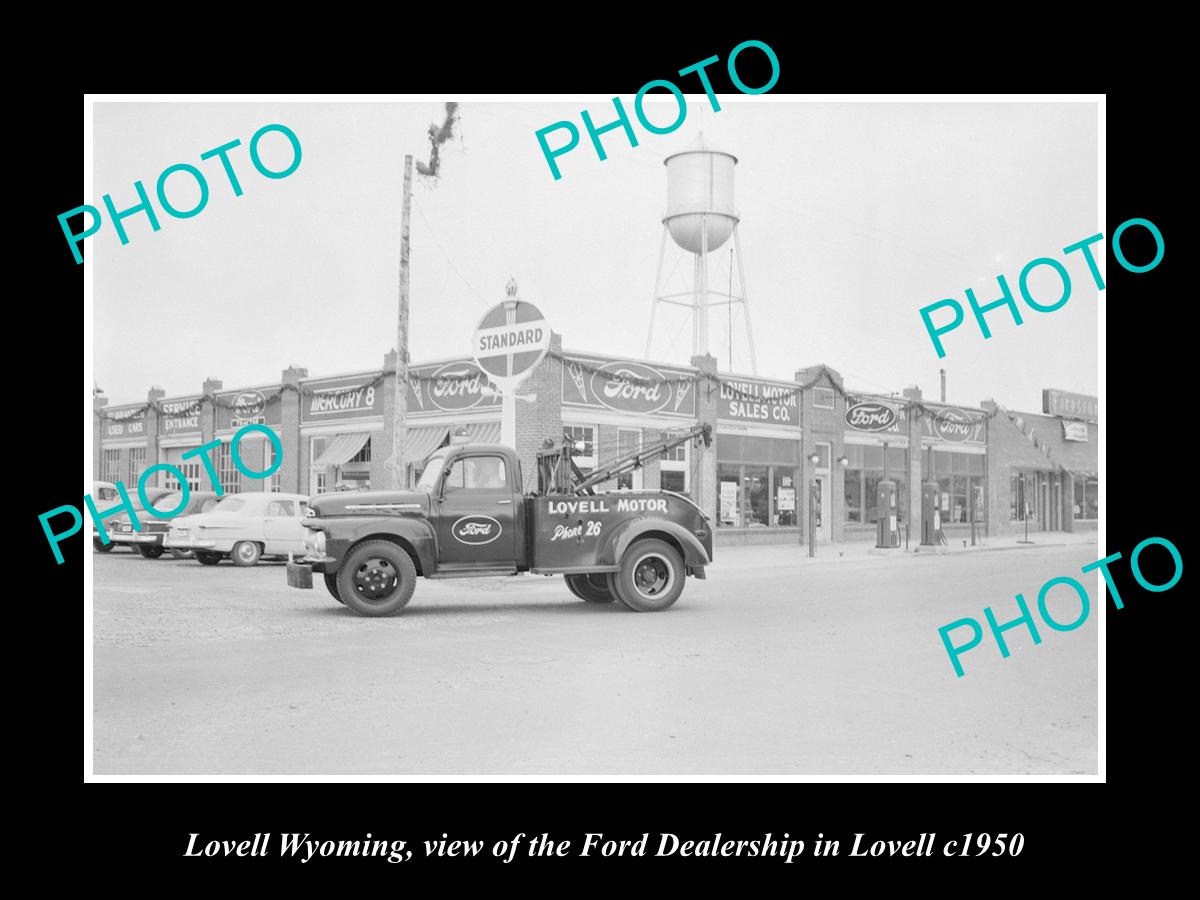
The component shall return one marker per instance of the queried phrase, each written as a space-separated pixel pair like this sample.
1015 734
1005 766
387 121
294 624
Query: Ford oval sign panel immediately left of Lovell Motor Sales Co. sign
628 388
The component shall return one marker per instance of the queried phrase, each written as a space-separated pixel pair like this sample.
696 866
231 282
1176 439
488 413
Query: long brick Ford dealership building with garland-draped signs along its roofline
788 455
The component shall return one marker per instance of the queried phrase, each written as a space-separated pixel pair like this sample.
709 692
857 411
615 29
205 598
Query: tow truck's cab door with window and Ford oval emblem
477 514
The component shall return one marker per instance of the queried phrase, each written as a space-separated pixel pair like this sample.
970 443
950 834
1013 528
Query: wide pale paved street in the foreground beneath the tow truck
776 665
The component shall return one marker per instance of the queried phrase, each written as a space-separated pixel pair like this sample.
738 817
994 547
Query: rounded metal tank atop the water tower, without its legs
700 195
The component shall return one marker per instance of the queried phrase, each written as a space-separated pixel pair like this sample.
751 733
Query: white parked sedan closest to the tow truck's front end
244 527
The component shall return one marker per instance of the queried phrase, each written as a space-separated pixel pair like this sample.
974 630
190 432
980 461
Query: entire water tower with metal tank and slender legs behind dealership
700 220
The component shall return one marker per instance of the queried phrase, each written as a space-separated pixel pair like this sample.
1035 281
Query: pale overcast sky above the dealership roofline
853 218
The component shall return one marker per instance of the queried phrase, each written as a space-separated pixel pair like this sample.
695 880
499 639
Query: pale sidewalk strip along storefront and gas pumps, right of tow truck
793 554
